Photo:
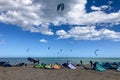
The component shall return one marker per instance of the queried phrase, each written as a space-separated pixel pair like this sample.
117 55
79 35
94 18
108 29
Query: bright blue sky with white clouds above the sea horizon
35 28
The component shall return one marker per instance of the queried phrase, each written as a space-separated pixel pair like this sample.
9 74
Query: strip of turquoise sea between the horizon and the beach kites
60 60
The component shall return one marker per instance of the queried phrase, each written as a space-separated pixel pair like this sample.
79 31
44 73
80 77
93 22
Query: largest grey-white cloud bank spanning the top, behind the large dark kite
29 13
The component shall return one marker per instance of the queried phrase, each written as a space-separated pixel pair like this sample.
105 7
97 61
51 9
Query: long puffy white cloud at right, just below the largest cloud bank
89 33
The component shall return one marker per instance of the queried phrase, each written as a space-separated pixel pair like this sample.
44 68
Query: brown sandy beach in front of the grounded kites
30 73
